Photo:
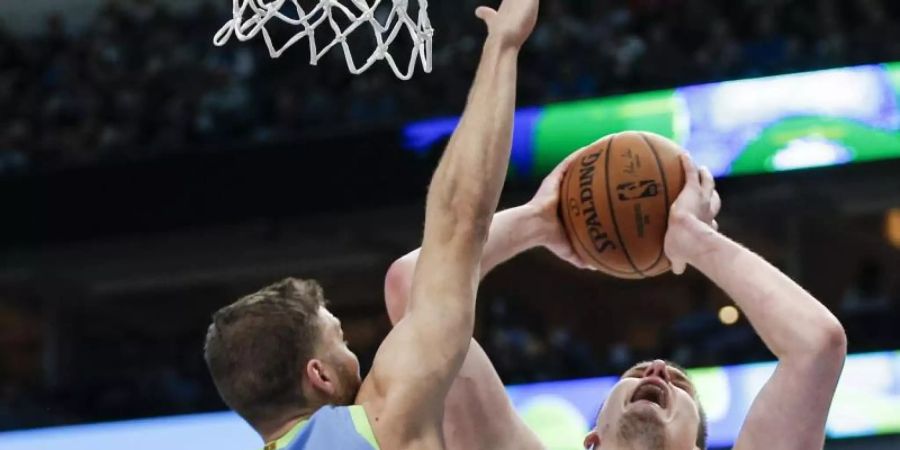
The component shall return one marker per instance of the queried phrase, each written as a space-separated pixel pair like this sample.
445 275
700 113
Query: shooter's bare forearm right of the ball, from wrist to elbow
790 321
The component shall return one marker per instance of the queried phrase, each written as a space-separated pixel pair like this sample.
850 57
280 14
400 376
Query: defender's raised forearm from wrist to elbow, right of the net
466 186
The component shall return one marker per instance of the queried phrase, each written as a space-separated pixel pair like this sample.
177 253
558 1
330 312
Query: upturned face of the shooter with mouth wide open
647 411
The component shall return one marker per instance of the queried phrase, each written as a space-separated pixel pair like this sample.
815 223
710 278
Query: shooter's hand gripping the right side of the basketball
695 209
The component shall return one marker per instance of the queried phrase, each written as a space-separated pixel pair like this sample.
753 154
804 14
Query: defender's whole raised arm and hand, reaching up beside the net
421 356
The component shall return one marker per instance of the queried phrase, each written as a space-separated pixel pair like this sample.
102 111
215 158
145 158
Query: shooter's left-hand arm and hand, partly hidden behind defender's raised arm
478 413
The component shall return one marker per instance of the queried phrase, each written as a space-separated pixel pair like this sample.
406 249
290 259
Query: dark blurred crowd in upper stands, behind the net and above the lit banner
140 80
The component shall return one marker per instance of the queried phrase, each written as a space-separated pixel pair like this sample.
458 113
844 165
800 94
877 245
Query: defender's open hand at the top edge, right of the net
512 23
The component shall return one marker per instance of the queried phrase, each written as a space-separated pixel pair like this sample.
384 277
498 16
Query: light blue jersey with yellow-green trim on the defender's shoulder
330 428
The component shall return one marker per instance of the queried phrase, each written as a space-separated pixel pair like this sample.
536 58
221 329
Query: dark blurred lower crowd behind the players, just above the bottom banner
112 375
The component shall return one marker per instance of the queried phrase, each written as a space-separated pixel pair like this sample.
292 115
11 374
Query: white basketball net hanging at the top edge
251 16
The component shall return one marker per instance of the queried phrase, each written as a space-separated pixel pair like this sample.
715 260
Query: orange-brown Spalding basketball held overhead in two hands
615 200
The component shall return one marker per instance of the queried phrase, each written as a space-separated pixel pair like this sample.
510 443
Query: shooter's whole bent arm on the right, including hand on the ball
807 339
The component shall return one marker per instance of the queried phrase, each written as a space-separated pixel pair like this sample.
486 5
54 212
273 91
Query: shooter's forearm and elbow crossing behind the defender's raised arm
512 231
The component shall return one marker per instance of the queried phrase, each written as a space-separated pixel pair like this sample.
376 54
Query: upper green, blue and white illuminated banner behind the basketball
761 125
